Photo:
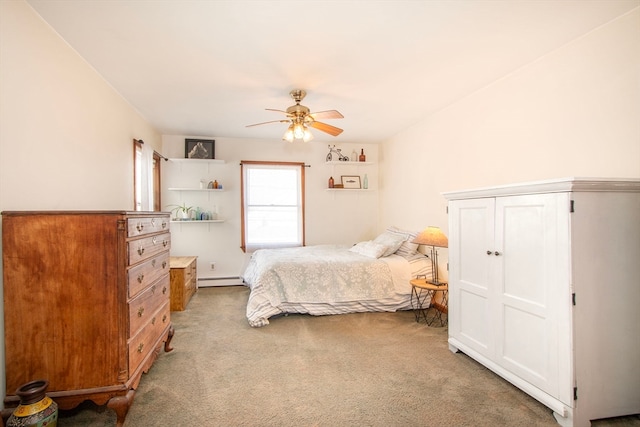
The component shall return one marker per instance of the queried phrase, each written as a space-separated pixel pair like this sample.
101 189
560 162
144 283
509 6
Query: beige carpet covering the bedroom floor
365 369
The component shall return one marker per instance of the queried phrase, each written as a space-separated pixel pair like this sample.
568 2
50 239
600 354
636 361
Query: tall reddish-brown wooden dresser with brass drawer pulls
86 303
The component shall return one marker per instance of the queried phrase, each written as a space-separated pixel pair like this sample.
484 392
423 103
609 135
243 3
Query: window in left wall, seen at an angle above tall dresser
146 177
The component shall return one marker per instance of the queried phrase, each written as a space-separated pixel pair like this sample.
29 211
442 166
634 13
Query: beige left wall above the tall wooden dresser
66 135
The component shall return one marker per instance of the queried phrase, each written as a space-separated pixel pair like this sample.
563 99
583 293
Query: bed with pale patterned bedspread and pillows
334 279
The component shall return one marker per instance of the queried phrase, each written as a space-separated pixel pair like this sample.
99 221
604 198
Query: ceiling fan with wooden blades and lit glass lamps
300 119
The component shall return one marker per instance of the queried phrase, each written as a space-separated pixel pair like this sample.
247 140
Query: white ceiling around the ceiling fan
211 67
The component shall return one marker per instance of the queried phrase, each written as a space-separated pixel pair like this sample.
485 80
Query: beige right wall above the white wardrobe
573 112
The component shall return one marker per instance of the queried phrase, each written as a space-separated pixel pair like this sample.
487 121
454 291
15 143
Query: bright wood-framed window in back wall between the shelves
272 205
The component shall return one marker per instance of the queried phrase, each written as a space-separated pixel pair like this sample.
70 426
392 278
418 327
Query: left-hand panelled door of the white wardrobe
471 234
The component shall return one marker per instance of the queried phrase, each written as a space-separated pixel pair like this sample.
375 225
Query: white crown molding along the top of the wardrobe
561 185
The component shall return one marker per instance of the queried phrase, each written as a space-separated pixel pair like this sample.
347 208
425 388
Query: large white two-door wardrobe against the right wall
544 289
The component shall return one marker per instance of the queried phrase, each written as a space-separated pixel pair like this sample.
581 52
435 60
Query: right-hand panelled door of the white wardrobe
532 286
